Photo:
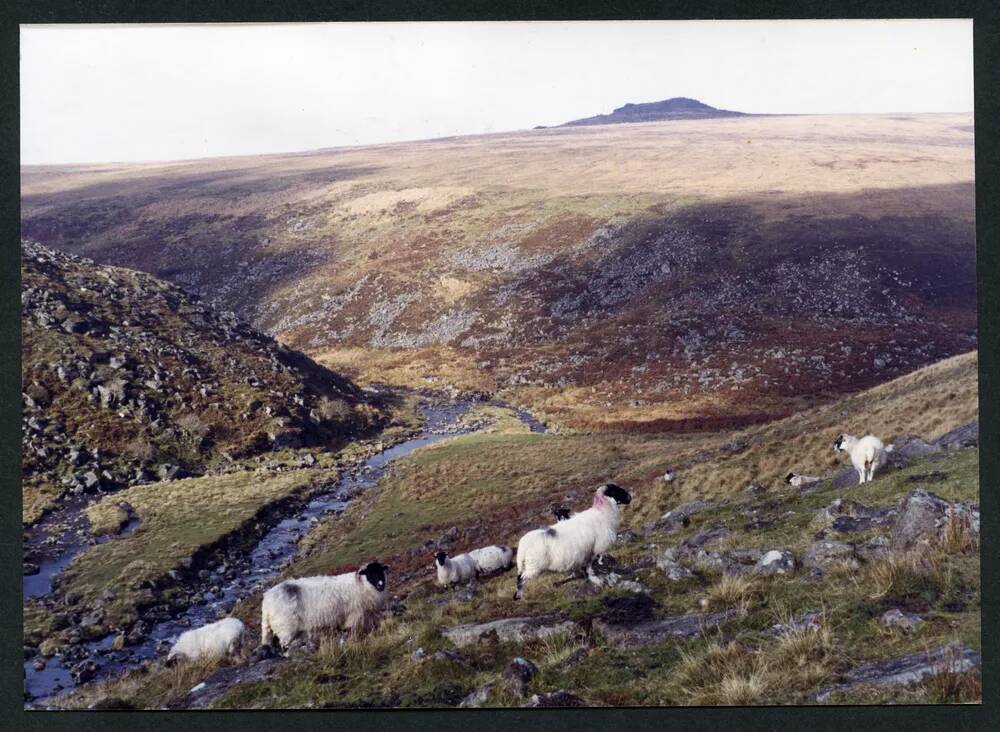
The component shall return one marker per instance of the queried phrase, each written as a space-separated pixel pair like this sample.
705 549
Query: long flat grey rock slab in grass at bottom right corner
906 670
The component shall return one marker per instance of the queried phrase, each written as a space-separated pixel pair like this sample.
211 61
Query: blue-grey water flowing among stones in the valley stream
257 570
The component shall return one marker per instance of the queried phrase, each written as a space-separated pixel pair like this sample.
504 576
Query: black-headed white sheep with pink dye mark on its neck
571 544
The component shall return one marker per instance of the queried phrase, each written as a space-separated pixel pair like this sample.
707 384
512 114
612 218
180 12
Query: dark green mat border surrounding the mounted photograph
987 34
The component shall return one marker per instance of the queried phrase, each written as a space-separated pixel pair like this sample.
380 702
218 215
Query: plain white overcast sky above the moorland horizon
126 93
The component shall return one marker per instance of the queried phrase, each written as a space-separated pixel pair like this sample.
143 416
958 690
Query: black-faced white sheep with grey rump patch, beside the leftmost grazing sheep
308 604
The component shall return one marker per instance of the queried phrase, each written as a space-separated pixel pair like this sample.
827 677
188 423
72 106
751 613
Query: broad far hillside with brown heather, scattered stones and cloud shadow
653 276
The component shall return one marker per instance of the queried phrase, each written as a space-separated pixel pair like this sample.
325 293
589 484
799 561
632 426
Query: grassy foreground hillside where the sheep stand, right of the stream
487 488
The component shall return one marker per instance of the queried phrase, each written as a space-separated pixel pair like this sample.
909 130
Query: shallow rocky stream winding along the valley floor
58 538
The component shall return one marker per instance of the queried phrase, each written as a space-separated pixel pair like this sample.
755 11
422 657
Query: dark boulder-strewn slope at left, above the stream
128 379
